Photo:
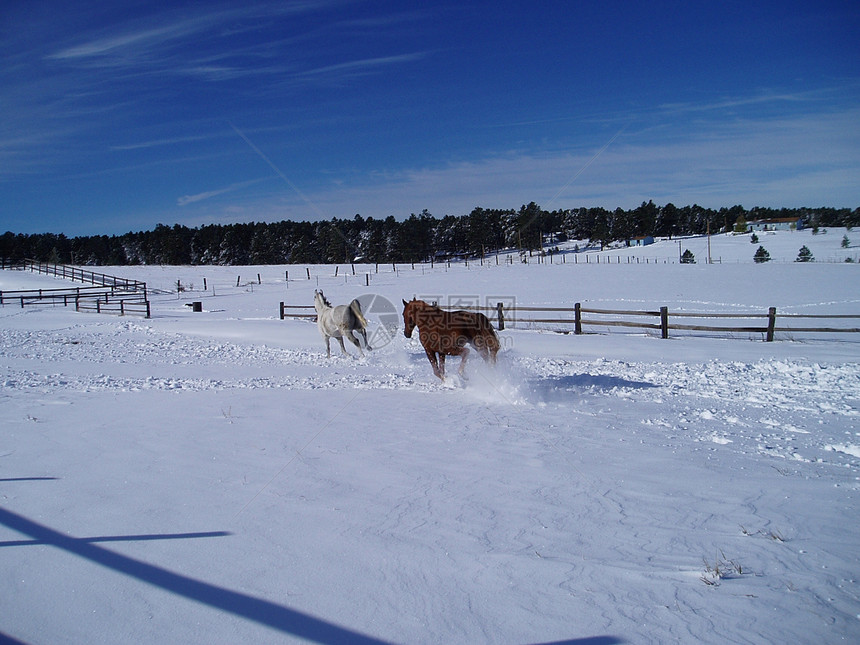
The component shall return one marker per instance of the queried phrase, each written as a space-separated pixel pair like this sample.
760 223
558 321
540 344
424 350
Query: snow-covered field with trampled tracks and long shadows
212 478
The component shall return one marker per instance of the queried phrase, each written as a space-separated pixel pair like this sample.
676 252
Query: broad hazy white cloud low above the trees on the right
798 161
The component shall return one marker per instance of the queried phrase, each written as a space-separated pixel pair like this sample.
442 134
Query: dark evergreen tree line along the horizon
417 238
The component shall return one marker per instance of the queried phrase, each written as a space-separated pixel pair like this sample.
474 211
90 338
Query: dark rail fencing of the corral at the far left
109 294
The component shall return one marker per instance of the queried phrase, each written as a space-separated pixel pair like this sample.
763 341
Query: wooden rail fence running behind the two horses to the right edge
508 315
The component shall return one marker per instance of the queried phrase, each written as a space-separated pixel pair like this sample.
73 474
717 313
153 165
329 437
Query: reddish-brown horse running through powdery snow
448 332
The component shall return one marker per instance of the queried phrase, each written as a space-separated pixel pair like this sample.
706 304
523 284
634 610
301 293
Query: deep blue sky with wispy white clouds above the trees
115 117
